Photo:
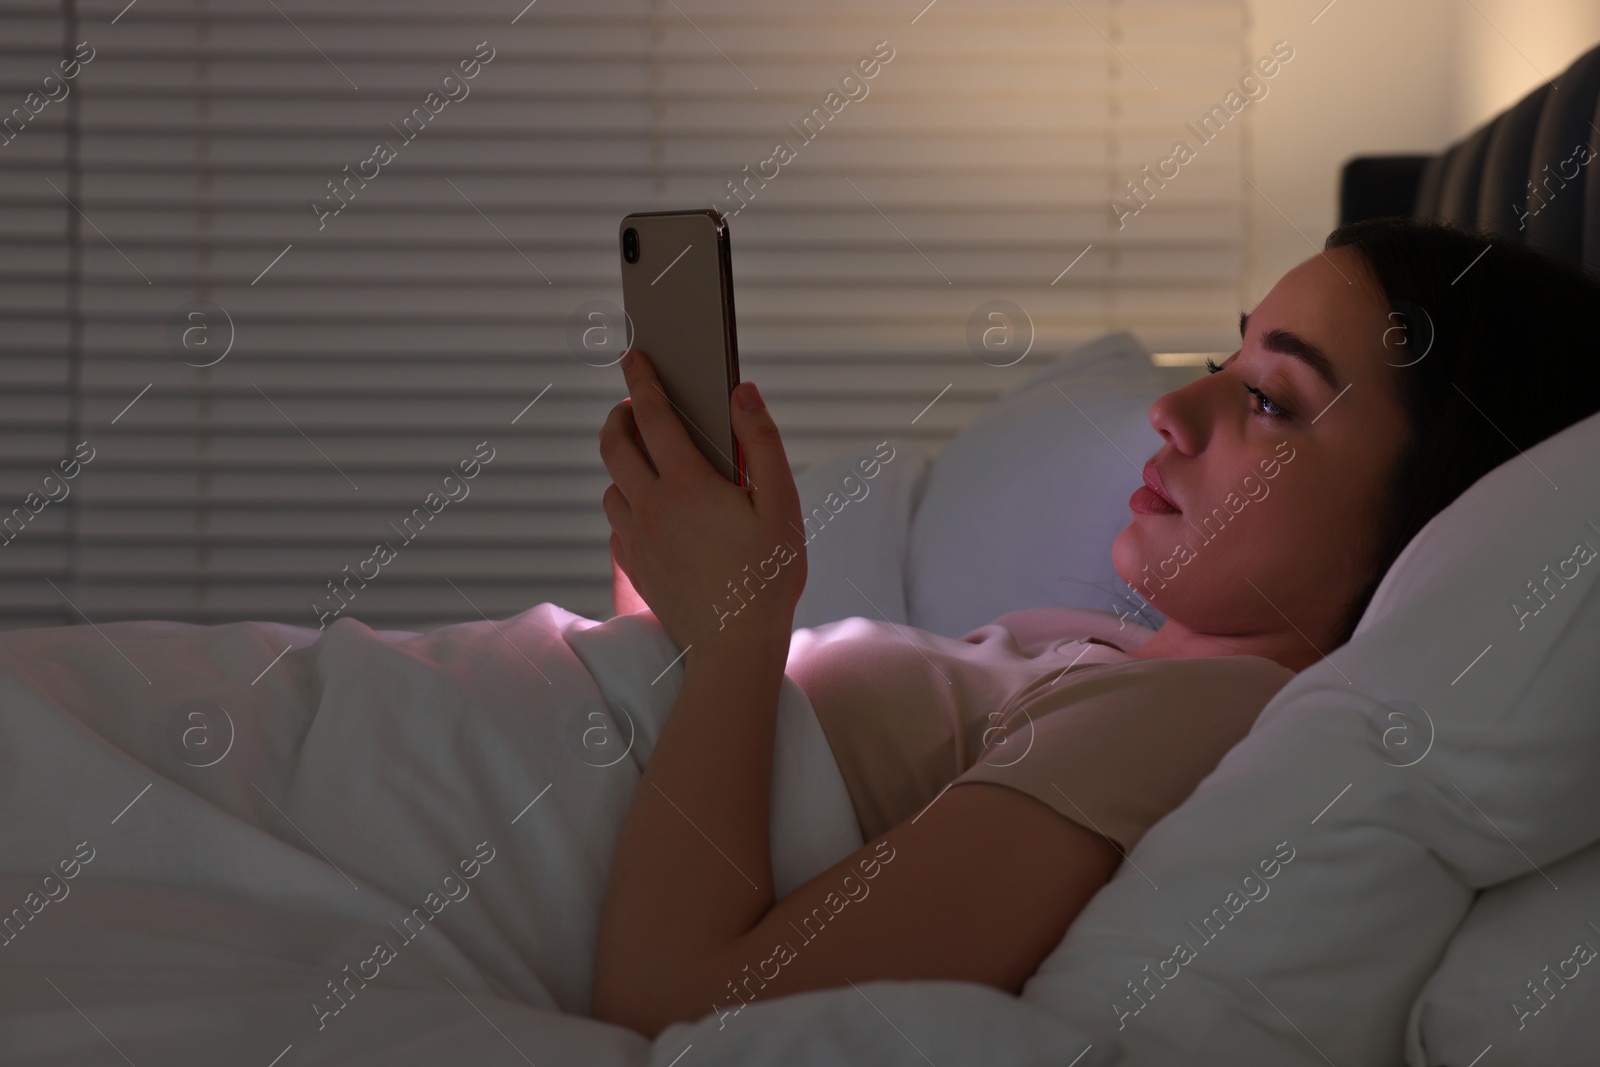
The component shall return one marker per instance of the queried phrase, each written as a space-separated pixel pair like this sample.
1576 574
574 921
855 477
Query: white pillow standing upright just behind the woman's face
1020 511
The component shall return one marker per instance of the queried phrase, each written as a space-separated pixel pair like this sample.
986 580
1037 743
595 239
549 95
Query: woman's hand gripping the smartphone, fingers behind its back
686 537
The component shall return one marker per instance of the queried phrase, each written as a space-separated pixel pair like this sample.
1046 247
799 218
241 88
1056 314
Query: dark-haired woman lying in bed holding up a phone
1374 385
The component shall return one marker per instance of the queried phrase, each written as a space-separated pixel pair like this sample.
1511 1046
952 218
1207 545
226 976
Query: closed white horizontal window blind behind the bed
290 271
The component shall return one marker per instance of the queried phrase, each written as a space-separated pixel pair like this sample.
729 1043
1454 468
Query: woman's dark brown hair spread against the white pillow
1495 350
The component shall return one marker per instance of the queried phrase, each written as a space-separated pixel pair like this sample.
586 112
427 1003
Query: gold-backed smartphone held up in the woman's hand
678 292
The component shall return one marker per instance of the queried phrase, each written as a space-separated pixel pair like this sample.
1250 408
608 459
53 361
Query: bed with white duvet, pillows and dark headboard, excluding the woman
271 845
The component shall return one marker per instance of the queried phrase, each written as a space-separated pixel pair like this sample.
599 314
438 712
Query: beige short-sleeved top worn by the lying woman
1047 701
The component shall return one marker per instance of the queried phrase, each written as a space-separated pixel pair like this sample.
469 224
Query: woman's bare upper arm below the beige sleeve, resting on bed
980 887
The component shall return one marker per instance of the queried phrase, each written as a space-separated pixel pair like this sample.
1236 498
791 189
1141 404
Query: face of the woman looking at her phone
1278 500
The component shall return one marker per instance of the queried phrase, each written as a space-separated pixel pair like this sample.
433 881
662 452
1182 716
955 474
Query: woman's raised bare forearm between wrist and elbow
694 863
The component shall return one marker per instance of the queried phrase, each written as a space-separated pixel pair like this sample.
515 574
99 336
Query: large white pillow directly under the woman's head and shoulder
1386 834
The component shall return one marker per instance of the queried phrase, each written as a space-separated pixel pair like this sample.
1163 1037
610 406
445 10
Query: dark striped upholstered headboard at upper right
1530 174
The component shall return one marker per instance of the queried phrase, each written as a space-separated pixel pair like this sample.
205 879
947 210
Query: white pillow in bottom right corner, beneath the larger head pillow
1538 929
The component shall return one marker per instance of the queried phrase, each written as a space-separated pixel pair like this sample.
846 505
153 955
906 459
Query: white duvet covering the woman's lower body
268 845
